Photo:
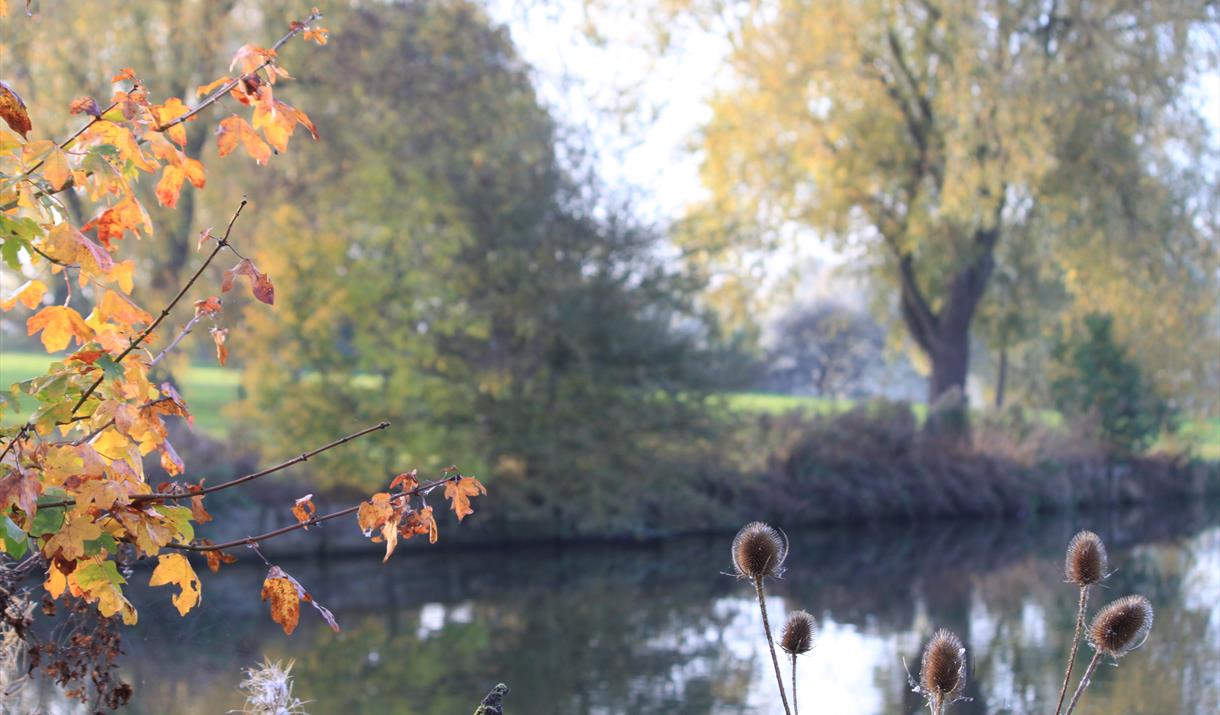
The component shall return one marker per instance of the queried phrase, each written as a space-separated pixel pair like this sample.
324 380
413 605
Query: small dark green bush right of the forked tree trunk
1100 381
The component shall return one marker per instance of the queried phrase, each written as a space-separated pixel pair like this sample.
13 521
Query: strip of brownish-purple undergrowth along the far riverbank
864 465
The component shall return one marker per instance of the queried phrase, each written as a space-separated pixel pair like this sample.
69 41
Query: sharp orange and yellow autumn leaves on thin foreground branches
74 494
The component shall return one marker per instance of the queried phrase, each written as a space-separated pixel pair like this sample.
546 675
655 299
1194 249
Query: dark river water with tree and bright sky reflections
658 629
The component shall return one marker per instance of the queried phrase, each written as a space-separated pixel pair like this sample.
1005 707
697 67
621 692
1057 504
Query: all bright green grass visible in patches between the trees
209 389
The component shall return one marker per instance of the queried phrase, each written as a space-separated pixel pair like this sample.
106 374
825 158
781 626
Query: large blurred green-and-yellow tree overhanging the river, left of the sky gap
493 298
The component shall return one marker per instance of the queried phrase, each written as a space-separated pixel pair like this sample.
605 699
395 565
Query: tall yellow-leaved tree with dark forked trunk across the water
927 135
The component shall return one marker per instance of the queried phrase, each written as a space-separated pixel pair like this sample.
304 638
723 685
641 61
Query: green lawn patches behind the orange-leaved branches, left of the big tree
207 390
